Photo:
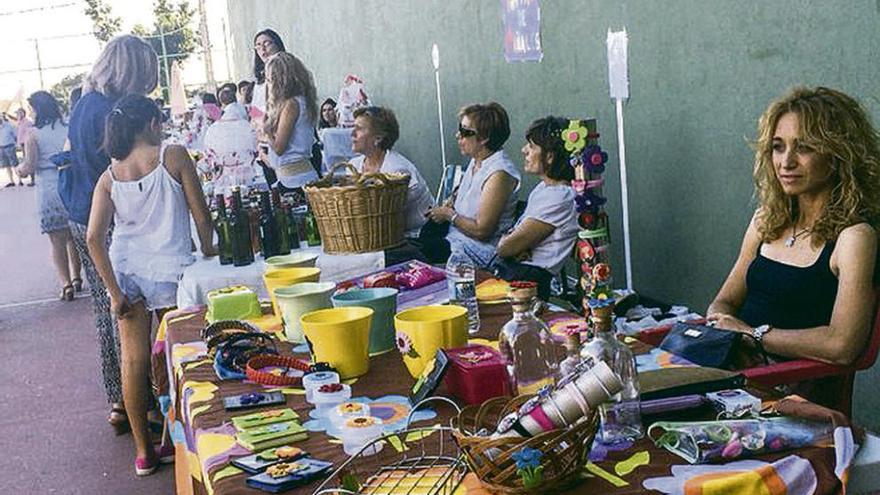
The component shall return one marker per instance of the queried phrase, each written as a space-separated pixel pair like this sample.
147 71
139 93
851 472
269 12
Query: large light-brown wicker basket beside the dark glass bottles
359 213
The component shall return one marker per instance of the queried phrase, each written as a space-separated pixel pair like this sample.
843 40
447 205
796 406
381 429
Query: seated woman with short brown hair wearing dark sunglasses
485 204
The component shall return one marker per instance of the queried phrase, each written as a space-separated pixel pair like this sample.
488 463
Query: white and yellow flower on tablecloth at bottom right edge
791 475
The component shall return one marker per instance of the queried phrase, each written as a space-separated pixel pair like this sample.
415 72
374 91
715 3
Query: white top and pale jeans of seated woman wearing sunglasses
467 203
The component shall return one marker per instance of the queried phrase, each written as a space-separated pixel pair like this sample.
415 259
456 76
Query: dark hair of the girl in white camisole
130 117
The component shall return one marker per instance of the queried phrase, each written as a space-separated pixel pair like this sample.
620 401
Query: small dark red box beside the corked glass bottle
476 373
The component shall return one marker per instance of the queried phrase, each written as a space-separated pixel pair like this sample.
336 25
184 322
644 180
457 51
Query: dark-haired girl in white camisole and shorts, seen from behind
148 192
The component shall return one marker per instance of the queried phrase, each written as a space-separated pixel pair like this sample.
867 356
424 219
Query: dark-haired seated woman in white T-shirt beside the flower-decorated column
544 235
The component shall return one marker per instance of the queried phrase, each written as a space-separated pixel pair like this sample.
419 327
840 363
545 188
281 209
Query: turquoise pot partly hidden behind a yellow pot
383 301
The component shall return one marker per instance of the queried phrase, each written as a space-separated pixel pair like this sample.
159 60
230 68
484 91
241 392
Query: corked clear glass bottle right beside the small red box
525 343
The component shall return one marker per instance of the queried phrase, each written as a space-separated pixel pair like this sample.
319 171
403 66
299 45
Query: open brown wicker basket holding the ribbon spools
564 450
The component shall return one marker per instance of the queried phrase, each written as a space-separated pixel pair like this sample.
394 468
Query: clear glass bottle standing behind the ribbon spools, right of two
621 418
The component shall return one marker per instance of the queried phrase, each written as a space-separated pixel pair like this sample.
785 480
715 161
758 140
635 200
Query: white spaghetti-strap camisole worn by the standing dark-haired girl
151 236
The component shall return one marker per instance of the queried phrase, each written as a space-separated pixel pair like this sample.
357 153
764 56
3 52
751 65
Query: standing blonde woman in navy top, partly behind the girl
128 65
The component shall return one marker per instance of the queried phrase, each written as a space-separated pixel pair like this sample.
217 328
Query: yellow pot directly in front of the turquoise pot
341 337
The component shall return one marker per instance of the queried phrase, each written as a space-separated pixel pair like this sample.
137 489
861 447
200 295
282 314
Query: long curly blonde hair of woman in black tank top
839 130
